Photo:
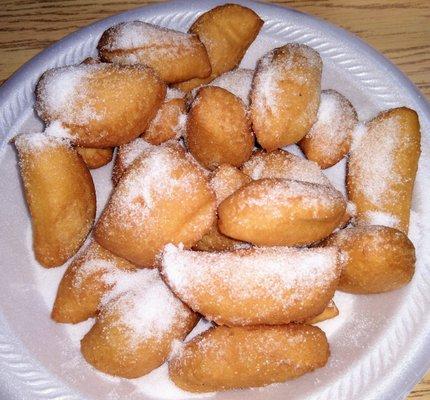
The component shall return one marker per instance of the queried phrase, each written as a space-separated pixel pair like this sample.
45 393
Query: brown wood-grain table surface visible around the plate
400 29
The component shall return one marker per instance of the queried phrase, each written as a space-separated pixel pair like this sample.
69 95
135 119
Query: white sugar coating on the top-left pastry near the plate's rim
137 34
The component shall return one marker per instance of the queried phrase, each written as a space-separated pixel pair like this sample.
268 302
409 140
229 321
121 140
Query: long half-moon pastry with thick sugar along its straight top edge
266 285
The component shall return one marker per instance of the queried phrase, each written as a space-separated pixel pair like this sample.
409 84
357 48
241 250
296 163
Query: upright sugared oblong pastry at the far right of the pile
382 168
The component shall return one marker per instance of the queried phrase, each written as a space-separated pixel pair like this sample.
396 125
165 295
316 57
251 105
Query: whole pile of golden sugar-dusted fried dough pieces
209 217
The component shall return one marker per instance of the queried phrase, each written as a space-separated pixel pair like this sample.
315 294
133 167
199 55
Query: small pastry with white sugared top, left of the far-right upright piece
329 139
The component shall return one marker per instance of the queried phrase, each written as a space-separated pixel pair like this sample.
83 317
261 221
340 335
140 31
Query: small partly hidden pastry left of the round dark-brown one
169 122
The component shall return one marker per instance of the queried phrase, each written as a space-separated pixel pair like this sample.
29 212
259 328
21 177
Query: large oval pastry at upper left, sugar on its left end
101 105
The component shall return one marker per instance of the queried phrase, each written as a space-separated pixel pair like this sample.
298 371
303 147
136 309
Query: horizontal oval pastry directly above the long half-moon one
281 212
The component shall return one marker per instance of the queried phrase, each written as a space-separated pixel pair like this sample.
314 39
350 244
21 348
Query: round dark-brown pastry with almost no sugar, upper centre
218 129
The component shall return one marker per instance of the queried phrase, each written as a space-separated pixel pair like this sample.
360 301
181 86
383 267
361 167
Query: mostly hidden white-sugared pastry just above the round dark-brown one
237 81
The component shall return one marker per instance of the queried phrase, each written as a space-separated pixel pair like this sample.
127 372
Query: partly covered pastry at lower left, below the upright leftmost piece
86 280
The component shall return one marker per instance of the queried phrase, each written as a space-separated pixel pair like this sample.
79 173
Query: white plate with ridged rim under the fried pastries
380 344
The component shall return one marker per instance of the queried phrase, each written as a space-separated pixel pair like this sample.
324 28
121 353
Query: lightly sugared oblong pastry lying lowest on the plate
224 358
